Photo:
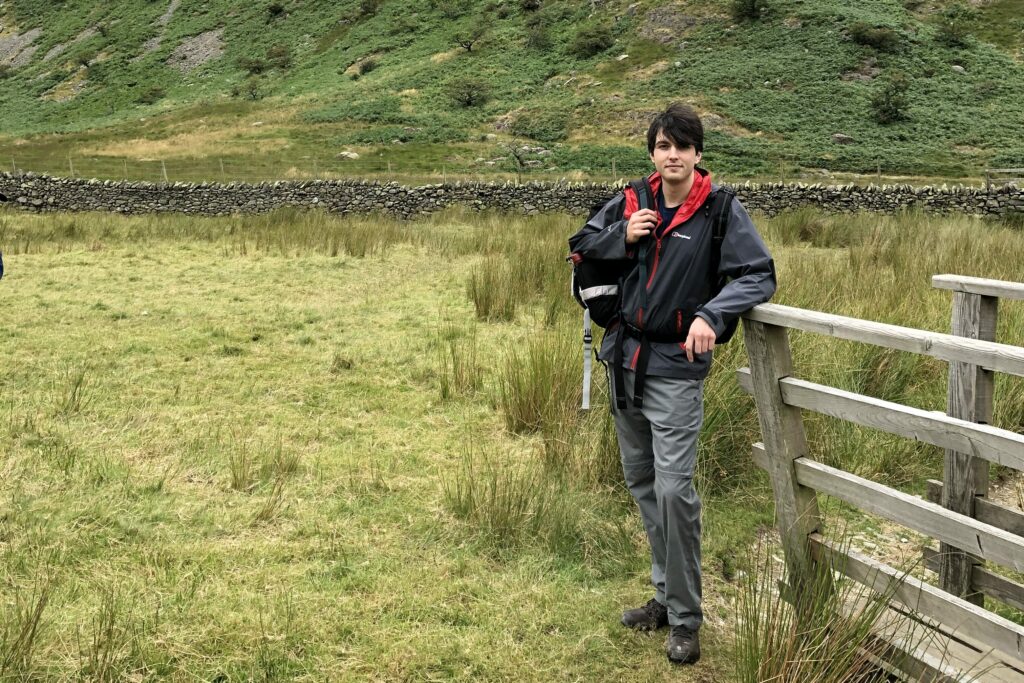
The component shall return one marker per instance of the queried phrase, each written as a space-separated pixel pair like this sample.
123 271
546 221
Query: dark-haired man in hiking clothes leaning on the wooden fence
675 305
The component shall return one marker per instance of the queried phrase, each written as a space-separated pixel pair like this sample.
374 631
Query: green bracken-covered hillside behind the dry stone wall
918 89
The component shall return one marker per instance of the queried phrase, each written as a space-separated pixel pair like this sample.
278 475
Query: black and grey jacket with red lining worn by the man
678 283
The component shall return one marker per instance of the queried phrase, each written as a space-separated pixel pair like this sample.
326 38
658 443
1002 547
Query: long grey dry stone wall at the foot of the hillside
39 193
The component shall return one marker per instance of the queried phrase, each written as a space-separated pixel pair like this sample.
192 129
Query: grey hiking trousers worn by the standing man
659 447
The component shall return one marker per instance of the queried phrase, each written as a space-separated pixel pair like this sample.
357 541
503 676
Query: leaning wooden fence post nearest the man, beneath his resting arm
783 431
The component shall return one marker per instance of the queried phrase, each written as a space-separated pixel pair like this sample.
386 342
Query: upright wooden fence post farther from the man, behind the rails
970 398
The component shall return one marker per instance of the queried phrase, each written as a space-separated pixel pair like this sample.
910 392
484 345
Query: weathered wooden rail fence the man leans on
978 644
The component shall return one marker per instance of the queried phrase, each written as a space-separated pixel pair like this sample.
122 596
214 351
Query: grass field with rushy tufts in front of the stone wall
300 447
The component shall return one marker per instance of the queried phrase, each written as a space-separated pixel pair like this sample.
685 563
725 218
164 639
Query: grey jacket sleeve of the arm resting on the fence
750 268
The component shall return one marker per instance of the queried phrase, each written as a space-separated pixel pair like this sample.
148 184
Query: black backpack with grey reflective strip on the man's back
596 284
